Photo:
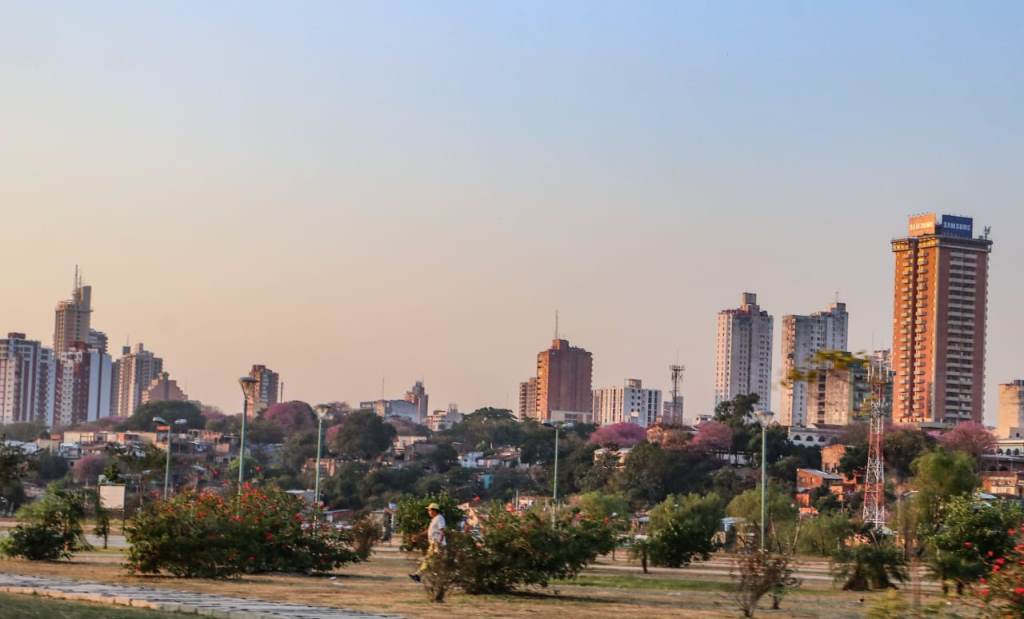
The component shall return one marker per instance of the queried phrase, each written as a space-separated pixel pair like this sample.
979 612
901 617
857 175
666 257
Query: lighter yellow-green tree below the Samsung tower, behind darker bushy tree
941 476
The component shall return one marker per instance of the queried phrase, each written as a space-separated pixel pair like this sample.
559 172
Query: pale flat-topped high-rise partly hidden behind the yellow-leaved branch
803 337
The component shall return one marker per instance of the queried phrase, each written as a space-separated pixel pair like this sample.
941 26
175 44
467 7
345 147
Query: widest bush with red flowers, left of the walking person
205 535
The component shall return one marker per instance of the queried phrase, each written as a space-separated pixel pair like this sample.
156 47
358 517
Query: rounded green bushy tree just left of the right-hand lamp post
684 527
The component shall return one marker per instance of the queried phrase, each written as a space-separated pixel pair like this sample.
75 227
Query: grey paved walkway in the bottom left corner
169 600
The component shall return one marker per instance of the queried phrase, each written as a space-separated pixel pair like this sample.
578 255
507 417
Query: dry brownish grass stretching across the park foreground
381 586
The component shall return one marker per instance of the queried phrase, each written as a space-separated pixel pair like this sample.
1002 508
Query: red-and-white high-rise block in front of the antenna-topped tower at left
83 386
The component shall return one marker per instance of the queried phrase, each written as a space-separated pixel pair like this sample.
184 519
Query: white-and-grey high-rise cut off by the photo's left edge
28 376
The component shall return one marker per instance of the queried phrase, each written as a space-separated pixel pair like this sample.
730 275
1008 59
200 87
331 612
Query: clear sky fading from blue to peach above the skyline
363 195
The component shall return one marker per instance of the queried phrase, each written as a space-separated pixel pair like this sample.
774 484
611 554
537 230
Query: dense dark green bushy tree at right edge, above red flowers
967 533
